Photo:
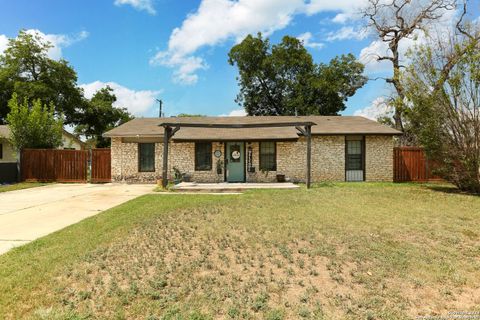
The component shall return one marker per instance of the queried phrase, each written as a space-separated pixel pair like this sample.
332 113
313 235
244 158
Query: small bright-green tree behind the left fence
33 125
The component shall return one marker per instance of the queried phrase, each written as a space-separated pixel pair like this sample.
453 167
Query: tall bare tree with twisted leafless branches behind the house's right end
394 21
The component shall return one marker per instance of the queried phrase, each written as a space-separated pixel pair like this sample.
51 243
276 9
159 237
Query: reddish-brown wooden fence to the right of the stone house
411 164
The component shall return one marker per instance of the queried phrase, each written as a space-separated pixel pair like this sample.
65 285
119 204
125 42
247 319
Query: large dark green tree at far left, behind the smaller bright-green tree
26 70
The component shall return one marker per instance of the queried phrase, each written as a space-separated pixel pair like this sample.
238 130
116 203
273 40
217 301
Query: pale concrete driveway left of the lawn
26 215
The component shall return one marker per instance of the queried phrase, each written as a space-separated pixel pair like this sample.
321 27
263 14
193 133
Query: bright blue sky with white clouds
177 50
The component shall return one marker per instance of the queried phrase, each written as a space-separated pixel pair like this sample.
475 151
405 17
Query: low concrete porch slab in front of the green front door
230 187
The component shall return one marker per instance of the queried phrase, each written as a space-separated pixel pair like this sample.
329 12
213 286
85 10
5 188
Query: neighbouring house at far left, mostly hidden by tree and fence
8 156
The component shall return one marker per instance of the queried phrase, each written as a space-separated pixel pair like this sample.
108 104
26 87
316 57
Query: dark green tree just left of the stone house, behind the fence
99 116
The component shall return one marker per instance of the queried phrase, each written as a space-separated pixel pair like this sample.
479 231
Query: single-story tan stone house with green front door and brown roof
253 149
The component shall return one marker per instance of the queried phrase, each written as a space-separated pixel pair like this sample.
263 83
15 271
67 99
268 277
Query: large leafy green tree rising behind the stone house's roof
283 79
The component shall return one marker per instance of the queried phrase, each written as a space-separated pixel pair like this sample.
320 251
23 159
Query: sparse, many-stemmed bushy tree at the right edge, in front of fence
443 88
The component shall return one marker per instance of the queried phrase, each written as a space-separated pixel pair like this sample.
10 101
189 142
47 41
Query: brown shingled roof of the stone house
324 125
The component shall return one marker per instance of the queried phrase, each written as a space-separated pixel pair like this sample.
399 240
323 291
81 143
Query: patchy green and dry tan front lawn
337 251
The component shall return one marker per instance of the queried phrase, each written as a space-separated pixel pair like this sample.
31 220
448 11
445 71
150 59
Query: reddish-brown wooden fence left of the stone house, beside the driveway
65 165
